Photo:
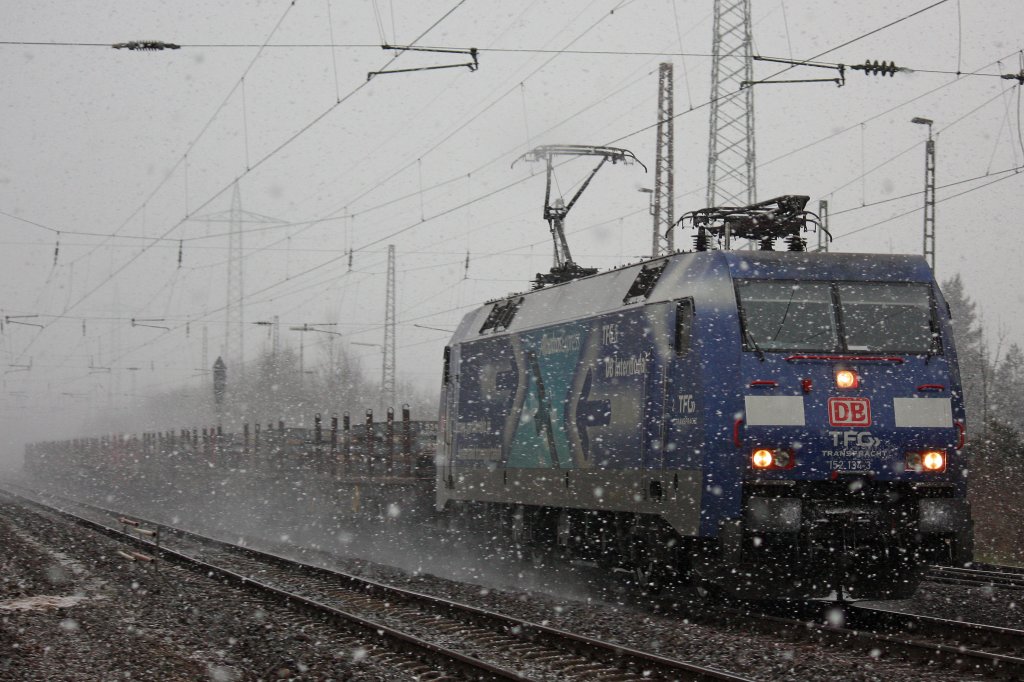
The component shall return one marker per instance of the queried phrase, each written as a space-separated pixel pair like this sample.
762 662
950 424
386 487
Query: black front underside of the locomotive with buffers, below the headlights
849 538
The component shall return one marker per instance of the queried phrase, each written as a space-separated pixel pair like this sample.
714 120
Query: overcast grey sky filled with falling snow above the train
110 147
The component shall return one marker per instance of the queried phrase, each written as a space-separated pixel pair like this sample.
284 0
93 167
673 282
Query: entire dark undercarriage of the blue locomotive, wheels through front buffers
850 539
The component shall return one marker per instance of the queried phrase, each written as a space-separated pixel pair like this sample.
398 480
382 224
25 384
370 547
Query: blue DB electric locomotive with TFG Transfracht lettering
772 424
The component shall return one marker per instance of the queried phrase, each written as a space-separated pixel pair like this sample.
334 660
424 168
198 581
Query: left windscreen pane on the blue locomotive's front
788 316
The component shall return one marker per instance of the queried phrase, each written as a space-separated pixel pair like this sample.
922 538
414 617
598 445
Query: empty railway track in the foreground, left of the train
450 636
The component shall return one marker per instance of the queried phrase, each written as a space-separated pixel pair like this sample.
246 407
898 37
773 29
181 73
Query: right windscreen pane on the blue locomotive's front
888 318
